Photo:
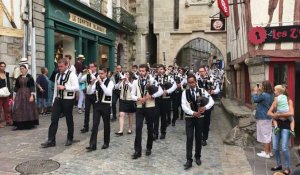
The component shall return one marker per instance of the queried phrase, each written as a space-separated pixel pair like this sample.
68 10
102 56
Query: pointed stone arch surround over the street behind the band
214 38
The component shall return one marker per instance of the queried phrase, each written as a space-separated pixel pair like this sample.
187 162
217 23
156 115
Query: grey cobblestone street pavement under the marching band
168 156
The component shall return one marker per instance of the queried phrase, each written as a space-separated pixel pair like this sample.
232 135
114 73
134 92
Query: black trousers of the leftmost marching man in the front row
65 107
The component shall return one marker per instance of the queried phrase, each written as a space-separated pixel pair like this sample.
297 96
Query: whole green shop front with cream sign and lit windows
73 28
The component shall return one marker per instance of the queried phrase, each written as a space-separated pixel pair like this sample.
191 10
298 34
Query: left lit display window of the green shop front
64 45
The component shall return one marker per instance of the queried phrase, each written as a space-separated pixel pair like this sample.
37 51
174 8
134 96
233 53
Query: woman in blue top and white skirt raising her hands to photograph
263 96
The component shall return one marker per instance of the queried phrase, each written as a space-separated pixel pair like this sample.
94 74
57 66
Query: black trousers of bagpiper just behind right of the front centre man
164 105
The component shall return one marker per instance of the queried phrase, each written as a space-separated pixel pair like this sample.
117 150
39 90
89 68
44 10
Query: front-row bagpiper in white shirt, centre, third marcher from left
145 109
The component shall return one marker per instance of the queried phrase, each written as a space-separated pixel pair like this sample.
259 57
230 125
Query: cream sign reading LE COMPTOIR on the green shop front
86 23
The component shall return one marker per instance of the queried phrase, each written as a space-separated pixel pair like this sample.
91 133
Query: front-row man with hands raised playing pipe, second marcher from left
101 108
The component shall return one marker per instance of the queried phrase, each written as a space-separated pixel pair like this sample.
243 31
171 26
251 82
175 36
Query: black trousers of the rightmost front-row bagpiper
193 126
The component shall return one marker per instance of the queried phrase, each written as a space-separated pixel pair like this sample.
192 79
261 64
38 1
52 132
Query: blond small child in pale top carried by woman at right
282 105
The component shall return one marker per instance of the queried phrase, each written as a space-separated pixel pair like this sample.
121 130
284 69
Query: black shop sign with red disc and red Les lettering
259 35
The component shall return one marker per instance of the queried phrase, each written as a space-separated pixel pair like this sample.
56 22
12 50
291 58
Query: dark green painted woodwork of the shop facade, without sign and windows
86 40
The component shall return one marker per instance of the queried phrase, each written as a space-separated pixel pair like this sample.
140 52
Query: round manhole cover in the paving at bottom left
37 166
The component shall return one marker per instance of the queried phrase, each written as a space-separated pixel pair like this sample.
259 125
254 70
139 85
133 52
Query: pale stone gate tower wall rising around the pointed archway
194 22
